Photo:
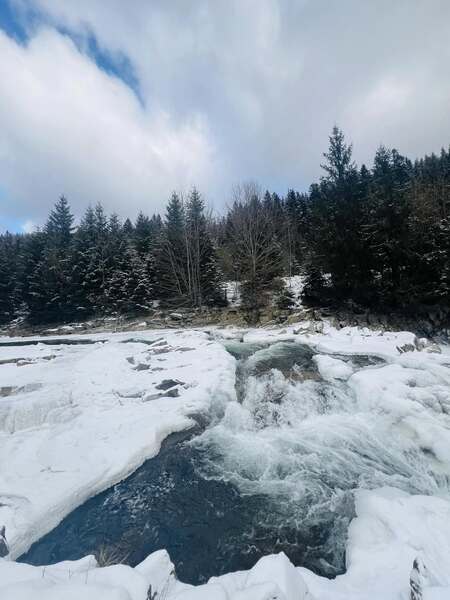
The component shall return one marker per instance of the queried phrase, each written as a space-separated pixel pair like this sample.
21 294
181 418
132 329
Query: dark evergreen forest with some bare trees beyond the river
368 237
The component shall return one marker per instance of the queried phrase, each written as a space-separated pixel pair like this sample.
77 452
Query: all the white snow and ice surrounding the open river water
74 423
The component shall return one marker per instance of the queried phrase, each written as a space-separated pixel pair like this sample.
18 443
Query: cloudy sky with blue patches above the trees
123 102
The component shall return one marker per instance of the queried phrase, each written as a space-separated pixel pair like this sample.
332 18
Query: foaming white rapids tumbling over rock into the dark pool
306 443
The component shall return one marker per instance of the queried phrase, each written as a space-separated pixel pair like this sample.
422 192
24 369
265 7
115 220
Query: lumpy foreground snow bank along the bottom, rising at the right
392 530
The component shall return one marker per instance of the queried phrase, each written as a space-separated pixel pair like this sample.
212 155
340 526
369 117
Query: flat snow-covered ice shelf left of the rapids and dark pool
78 423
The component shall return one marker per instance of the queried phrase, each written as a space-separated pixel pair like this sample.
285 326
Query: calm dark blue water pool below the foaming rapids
207 527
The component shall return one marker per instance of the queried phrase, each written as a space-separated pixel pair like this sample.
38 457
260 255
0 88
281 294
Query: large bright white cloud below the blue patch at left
67 127
